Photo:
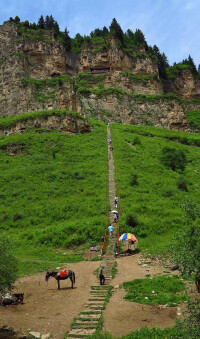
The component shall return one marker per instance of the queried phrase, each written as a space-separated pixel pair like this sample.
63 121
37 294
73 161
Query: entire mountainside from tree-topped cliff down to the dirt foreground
84 120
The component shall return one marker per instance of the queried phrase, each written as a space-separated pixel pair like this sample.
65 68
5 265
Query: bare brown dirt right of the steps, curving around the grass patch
121 316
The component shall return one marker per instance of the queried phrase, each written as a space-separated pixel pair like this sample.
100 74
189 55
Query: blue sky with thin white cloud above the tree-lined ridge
172 25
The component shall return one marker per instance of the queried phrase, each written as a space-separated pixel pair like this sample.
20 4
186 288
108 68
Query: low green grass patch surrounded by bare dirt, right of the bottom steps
159 290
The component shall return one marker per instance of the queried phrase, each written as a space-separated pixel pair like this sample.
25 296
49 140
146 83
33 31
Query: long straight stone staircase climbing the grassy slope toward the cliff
89 320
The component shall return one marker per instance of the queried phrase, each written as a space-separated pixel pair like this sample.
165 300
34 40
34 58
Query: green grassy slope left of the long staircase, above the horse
50 207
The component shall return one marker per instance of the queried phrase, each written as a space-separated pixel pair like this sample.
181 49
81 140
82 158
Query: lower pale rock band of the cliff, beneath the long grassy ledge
124 109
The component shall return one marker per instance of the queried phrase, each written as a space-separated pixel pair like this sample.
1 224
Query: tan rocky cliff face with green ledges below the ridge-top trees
28 67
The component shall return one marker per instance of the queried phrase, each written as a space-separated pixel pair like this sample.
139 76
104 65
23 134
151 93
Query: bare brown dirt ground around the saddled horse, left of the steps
46 309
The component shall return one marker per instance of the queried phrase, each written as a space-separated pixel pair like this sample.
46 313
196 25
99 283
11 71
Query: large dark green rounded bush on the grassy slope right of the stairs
173 158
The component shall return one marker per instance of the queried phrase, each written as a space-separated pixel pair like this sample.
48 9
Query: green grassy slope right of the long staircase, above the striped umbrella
152 209
